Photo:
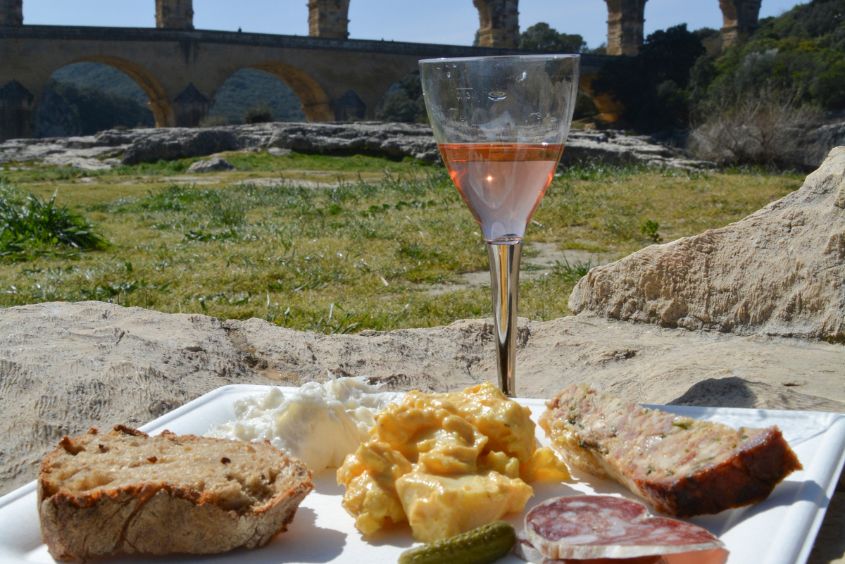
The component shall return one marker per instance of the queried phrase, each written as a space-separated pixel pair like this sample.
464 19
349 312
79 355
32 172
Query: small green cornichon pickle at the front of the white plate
478 546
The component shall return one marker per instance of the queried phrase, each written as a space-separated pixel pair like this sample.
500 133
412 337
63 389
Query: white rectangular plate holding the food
779 530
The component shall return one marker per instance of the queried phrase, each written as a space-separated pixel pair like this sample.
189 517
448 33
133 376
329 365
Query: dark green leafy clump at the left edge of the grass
30 226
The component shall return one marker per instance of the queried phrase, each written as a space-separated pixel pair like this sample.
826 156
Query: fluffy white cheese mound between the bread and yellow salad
318 423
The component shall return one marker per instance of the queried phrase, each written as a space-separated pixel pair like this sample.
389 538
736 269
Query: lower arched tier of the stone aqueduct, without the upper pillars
180 70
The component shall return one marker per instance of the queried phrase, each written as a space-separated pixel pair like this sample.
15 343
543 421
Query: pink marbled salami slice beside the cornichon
599 526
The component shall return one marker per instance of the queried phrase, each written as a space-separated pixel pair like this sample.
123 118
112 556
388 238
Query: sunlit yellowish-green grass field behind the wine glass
340 244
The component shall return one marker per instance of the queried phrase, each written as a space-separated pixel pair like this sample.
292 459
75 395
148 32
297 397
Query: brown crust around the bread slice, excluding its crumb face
156 517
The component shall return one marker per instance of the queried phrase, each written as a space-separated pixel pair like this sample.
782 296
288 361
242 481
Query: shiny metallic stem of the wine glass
504 283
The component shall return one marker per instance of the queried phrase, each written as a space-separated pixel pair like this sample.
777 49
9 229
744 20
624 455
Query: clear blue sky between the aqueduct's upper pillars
431 21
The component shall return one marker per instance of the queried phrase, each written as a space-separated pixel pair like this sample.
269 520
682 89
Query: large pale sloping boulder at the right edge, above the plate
779 271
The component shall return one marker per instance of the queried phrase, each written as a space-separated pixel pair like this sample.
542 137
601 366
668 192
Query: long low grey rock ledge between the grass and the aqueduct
394 140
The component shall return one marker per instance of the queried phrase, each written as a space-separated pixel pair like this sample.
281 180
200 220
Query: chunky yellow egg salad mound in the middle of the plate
445 463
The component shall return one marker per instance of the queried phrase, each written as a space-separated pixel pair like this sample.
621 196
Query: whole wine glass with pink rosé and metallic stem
500 124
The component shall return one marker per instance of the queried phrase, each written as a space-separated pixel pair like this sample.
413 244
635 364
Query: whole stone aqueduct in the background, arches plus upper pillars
336 78
